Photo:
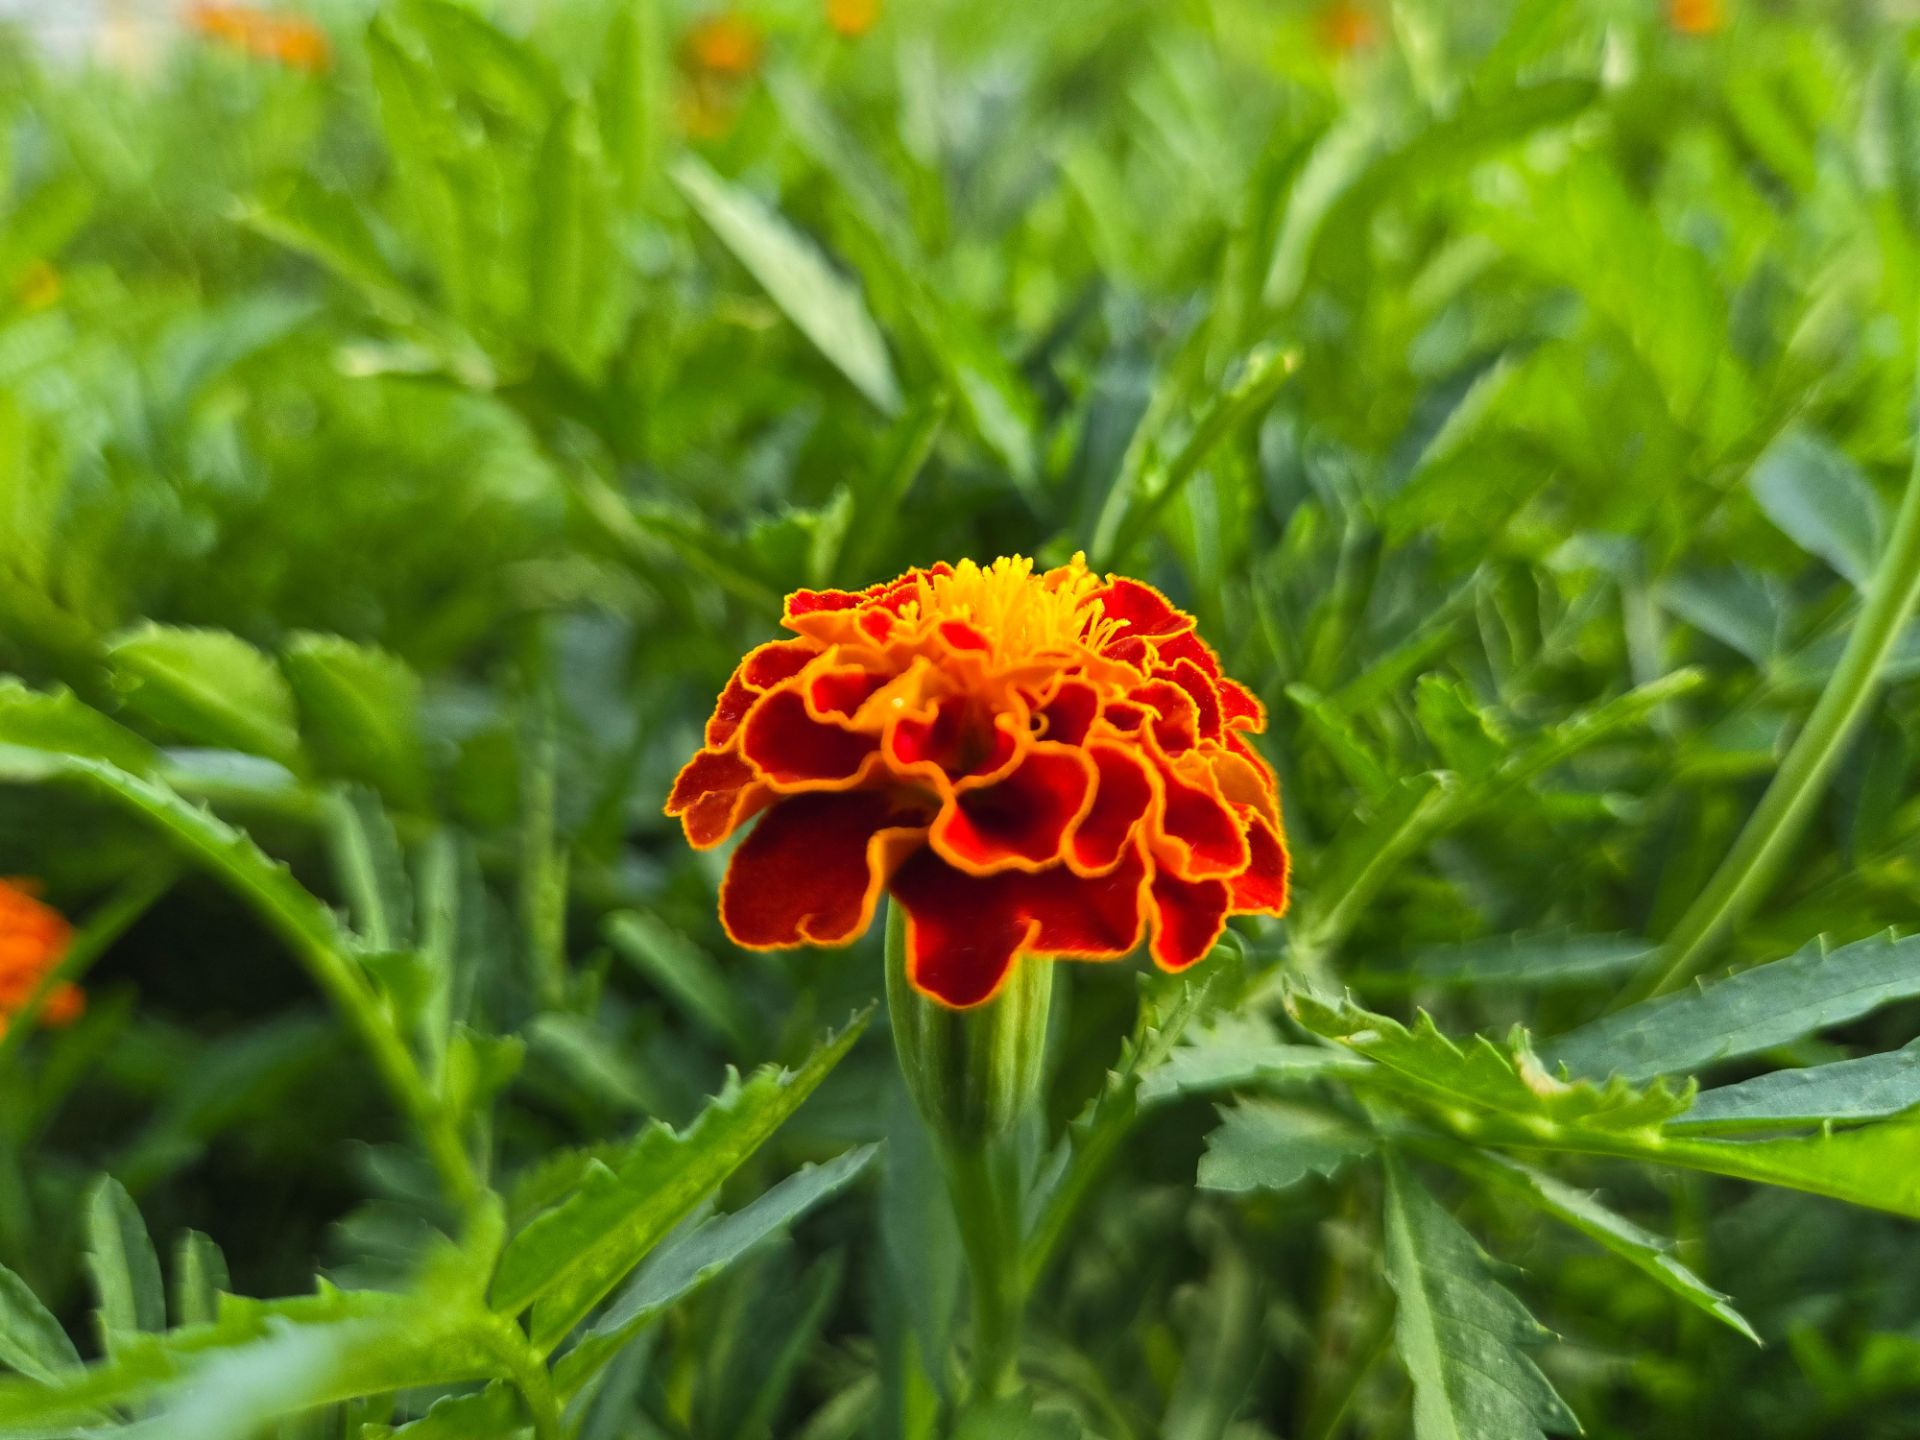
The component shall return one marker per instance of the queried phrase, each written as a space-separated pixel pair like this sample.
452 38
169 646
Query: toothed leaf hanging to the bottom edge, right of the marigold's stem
1462 1335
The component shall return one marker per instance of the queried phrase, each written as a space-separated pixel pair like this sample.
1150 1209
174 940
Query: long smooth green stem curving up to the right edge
1765 844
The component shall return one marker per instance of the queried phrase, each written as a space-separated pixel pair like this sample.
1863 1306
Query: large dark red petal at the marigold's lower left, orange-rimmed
813 869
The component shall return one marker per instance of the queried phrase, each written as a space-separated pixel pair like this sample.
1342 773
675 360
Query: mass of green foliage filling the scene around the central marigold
398 456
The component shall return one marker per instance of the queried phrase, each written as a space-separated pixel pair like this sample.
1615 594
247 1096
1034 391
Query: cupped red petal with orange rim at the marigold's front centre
1020 821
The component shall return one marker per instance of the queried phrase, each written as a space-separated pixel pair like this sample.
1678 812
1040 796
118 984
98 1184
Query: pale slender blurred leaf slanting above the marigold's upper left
825 304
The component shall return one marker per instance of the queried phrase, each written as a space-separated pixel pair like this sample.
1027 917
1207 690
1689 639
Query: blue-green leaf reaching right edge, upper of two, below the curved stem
1746 1013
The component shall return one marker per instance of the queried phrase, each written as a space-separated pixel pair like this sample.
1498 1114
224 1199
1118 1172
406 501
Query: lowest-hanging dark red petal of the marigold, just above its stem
963 932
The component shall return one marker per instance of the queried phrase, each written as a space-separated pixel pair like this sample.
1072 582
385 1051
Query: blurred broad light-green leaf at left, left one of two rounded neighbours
210 688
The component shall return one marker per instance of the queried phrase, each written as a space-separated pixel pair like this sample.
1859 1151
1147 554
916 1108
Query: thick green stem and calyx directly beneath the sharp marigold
974 1074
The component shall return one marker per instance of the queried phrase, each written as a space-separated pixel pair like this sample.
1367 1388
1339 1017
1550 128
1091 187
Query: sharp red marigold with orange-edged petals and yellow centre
1028 763
